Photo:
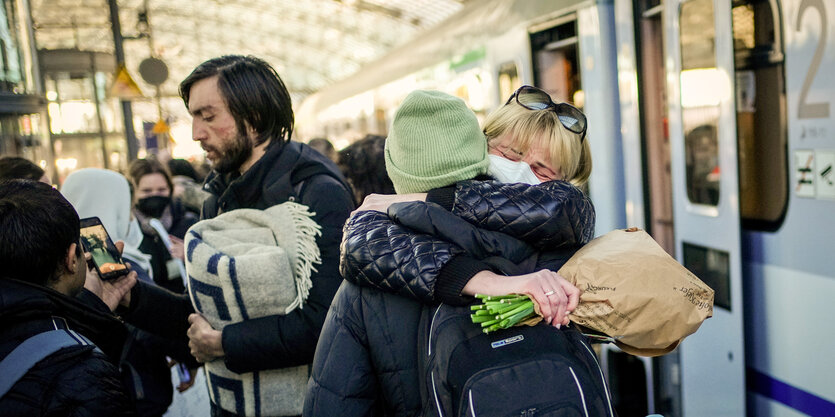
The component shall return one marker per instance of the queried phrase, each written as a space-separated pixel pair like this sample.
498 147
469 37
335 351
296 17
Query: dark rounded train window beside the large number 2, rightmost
760 114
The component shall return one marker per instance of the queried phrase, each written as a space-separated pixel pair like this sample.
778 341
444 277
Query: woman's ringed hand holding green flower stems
556 297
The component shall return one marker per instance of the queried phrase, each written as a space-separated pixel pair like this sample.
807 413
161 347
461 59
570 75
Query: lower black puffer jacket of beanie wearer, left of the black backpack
366 361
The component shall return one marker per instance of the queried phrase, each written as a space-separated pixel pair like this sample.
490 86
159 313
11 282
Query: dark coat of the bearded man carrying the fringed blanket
292 172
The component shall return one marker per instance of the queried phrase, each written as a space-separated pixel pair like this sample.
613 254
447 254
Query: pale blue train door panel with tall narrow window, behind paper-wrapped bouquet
703 146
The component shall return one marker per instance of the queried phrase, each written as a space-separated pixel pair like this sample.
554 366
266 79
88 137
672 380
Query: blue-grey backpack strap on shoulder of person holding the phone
34 349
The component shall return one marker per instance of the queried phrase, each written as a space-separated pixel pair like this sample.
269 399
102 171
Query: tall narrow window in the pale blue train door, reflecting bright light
700 101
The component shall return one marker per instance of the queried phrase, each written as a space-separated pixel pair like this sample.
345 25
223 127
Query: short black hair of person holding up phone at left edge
38 225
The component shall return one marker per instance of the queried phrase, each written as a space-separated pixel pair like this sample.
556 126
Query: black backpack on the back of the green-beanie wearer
522 371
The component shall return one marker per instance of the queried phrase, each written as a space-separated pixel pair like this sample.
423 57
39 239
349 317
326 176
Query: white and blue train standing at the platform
711 126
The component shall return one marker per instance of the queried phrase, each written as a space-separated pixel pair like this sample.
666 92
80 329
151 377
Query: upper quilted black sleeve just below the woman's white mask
548 216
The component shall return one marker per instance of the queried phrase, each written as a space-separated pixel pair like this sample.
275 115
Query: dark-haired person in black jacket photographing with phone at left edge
42 288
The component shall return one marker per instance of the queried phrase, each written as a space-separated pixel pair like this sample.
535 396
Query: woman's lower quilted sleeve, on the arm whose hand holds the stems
377 252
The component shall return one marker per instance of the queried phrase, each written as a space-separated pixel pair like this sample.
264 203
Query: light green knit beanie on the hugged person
434 141
